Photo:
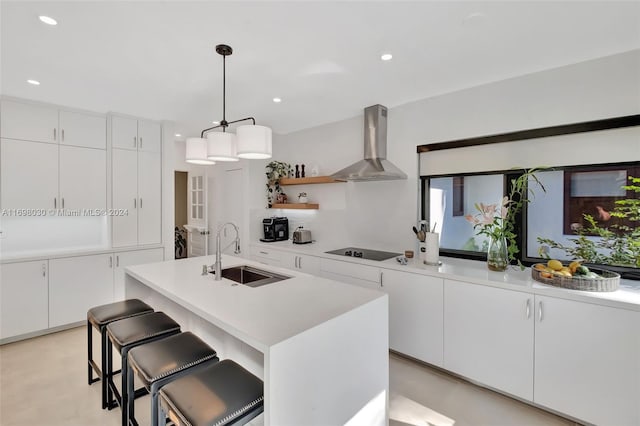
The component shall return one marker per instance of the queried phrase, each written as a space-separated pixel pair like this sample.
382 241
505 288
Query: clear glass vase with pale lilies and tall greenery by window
498 223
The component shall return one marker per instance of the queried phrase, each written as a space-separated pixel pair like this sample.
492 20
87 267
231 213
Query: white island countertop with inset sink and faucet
261 316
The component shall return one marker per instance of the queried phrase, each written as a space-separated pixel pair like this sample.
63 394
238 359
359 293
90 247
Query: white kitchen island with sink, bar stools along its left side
320 346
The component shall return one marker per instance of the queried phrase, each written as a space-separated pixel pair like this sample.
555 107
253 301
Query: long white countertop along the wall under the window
626 297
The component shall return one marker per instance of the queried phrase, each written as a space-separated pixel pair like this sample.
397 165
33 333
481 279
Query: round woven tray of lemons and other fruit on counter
575 276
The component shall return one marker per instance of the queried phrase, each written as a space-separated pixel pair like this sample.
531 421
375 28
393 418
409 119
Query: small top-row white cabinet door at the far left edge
29 122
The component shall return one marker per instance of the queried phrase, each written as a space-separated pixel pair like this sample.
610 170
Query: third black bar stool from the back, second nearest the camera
160 362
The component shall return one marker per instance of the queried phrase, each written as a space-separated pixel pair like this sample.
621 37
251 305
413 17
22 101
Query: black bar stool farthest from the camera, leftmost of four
99 317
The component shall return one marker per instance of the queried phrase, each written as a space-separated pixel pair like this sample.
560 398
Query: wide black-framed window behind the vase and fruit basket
557 214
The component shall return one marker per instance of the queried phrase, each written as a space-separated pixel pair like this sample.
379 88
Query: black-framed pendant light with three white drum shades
251 141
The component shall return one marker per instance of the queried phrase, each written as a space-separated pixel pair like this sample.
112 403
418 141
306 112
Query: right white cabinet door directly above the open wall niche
83 178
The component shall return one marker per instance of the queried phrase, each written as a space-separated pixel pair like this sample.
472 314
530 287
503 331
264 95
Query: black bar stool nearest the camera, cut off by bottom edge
220 394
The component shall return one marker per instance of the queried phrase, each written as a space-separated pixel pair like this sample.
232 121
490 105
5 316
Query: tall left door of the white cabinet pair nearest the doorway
125 196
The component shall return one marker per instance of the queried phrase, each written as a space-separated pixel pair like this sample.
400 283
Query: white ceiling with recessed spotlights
156 59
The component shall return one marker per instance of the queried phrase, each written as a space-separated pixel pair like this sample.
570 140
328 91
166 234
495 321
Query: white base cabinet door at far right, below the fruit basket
587 361
